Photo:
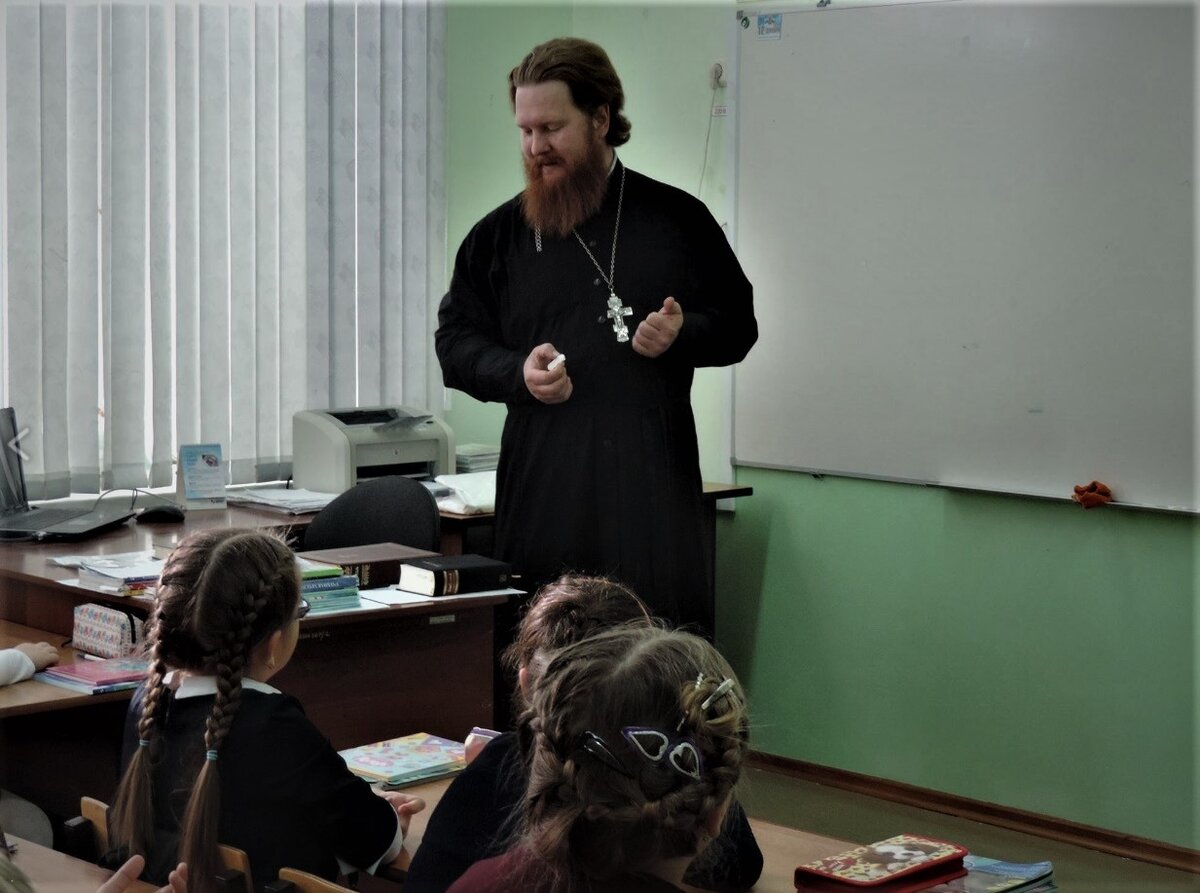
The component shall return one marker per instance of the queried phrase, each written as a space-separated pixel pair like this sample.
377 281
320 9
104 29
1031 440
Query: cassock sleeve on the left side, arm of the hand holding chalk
470 339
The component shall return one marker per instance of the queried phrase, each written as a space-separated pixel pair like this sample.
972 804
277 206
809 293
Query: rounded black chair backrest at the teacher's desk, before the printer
393 510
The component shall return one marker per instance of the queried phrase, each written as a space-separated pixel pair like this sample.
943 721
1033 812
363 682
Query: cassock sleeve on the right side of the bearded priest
719 327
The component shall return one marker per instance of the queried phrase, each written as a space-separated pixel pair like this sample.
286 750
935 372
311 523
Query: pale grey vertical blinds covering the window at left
217 213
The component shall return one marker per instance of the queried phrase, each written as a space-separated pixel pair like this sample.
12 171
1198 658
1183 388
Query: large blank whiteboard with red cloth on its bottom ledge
971 236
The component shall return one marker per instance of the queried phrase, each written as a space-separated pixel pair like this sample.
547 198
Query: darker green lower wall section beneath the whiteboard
1017 652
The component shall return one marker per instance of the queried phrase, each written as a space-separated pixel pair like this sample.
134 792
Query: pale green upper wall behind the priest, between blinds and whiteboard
663 55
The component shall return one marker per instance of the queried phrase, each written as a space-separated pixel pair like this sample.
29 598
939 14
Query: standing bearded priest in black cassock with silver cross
585 304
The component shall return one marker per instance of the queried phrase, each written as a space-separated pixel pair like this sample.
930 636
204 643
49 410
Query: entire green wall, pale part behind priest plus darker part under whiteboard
1018 652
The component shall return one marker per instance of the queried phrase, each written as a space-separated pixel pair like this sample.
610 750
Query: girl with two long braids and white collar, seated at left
215 756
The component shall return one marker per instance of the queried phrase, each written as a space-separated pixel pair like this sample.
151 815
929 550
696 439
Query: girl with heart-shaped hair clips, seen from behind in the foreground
639 736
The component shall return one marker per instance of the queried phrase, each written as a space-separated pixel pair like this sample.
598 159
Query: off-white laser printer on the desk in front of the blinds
335 450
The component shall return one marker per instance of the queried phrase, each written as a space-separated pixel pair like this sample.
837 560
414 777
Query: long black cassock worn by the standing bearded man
609 482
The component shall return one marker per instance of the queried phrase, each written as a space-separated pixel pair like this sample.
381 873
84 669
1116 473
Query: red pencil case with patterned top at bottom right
901 865
